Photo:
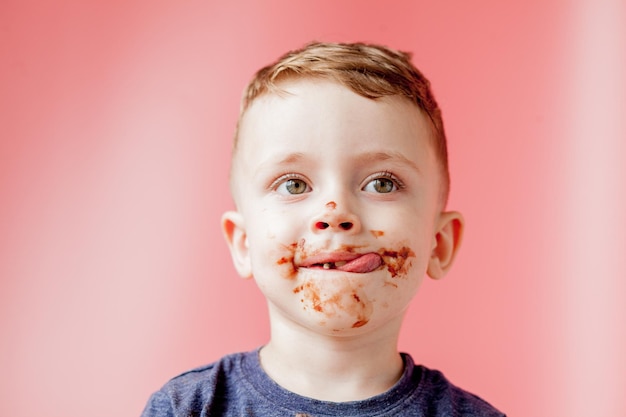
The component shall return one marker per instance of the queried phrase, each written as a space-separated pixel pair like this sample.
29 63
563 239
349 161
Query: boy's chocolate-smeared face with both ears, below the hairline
338 206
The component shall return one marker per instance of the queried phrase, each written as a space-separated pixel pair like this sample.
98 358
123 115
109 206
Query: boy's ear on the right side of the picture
445 243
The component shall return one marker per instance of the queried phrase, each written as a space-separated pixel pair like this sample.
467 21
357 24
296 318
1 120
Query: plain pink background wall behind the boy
115 127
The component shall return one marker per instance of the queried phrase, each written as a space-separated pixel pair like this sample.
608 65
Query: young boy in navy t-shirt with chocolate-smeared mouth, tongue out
340 180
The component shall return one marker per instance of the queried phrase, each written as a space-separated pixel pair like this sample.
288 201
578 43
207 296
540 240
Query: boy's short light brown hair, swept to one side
372 71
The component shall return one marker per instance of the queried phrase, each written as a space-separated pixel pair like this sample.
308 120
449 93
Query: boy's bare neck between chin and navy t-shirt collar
329 368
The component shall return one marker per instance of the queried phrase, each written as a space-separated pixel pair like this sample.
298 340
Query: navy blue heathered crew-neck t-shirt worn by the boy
236 385
